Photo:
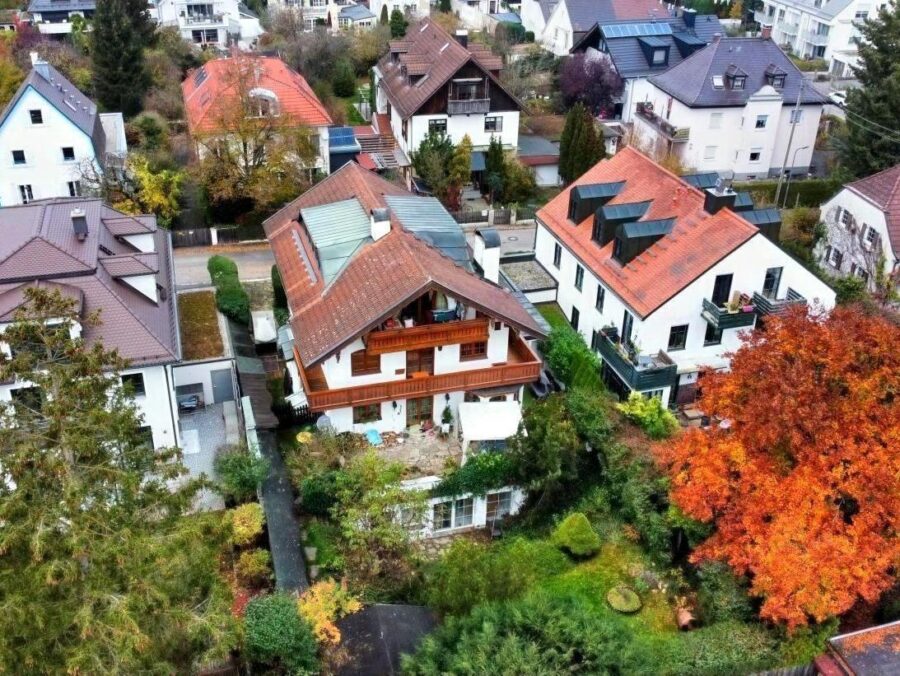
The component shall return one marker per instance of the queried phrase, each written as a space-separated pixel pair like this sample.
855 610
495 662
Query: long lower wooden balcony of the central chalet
522 367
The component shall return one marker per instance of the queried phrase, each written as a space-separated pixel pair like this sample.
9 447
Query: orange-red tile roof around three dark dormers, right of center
697 241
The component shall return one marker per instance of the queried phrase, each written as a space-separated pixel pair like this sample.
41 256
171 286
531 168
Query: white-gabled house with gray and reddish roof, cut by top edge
560 24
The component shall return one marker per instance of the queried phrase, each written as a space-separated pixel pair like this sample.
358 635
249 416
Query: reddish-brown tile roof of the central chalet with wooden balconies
379 279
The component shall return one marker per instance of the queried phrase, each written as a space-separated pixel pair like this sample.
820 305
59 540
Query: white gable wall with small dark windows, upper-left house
44 168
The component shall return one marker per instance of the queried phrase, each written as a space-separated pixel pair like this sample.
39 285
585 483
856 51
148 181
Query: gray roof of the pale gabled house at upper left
68 100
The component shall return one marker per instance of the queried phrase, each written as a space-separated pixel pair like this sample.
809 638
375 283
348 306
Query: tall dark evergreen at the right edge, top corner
873 139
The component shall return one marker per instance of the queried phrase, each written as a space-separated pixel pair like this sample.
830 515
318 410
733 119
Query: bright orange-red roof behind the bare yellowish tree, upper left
207 88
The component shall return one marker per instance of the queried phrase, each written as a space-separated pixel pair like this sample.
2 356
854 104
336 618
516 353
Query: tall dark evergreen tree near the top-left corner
117 52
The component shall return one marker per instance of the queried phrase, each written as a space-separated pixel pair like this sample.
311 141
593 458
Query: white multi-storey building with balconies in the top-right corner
822 29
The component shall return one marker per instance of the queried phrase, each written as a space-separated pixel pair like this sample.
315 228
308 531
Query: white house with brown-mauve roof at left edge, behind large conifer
105 261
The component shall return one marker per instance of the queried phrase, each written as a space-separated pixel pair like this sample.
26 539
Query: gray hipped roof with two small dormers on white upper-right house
691 81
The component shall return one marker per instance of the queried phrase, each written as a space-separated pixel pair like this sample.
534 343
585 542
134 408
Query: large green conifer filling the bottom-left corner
101 568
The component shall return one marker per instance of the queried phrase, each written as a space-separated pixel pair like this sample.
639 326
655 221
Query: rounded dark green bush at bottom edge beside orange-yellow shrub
277 637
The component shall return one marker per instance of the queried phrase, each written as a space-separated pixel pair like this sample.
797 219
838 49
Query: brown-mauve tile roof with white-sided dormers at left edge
40 247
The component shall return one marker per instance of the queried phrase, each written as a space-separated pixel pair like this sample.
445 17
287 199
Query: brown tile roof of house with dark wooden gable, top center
437 56
